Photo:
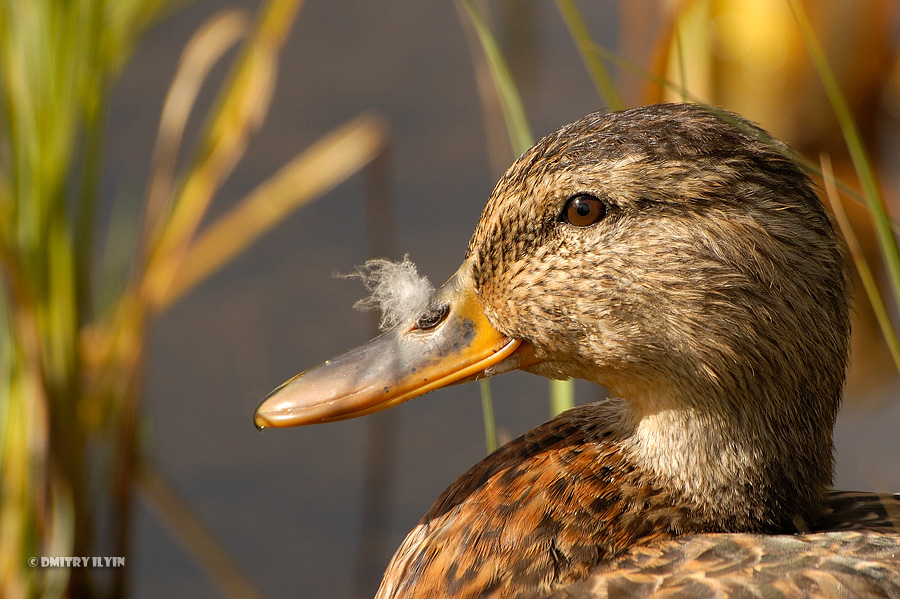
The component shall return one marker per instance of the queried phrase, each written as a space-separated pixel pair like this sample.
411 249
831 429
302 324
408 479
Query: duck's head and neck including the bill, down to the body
674 254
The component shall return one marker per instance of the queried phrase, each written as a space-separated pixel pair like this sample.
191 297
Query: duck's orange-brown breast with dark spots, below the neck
538 512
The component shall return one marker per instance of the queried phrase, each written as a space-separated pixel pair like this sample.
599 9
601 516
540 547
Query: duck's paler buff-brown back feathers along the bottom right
824 565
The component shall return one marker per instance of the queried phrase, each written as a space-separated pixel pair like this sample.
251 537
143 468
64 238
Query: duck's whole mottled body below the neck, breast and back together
551 515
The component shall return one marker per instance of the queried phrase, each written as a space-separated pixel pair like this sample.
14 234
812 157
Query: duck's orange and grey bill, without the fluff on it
403 363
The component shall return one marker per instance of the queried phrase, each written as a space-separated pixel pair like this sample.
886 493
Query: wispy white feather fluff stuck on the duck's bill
395 288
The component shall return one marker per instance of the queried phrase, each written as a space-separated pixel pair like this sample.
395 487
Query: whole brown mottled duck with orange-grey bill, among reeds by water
677 255
